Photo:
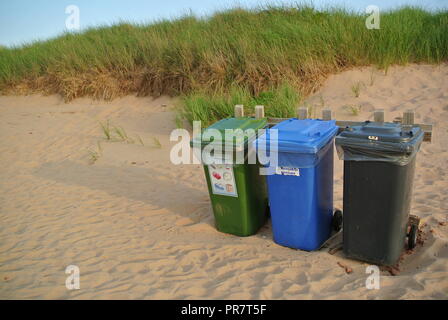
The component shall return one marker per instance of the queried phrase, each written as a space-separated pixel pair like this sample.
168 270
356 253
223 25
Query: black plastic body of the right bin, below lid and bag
376 213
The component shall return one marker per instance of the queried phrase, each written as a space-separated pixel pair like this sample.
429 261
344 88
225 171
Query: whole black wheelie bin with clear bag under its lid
379 162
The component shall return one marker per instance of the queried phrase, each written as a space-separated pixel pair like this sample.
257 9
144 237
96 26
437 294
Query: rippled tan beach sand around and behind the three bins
139 227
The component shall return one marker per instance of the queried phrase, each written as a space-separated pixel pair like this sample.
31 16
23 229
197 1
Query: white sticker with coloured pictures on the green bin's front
222 180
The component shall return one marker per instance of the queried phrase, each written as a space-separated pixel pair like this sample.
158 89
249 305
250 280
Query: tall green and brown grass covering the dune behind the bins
213 60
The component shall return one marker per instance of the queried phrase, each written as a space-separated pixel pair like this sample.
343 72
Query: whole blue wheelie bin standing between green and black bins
301 188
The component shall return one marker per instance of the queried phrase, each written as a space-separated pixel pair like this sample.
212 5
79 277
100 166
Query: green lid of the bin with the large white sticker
237 141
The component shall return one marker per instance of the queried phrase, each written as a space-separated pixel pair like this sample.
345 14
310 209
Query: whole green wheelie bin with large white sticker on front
237 190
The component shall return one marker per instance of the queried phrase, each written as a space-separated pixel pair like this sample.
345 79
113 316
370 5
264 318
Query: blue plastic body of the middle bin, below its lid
302 206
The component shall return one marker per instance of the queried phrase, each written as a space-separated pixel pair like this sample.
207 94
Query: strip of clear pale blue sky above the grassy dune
23 21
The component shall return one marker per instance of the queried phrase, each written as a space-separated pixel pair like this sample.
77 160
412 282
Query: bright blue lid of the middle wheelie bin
302 136
